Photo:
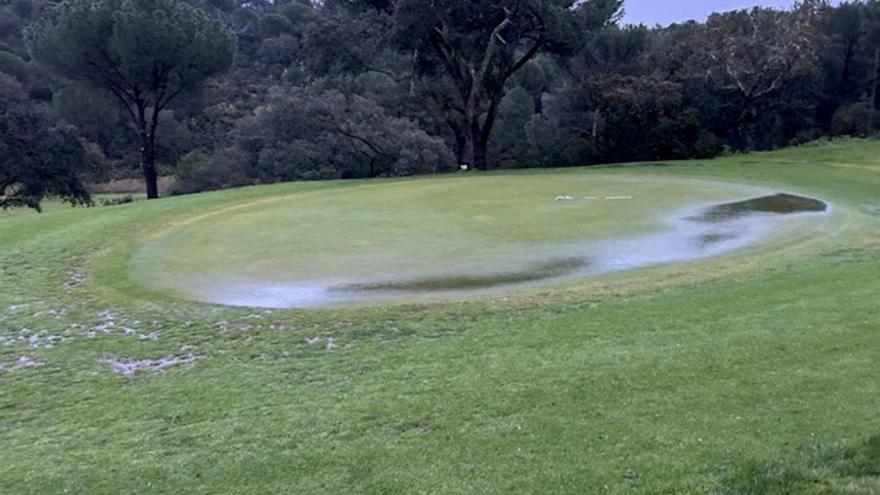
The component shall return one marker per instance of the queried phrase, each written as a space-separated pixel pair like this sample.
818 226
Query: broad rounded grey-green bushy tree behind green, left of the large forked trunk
299 134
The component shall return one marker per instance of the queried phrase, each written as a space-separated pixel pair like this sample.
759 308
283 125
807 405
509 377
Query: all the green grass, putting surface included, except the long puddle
752 372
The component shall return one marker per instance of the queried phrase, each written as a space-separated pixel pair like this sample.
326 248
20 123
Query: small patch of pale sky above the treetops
667 11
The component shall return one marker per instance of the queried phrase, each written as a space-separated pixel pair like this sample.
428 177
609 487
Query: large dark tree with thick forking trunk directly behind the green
478 46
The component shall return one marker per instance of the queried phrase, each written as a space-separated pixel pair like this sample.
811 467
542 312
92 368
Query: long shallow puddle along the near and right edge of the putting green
699 231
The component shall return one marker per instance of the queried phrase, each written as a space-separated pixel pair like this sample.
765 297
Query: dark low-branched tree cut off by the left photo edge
37 157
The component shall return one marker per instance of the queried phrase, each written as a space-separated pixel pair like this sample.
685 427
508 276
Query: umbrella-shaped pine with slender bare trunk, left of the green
145 52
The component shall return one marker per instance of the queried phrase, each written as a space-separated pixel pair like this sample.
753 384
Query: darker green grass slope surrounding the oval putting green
750 373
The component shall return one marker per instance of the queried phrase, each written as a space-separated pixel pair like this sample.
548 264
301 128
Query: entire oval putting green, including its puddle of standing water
452 237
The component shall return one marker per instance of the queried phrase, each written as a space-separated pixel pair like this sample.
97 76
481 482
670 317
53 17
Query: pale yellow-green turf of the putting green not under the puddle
452 232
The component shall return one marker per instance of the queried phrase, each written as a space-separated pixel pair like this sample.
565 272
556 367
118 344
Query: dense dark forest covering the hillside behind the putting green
366 88
